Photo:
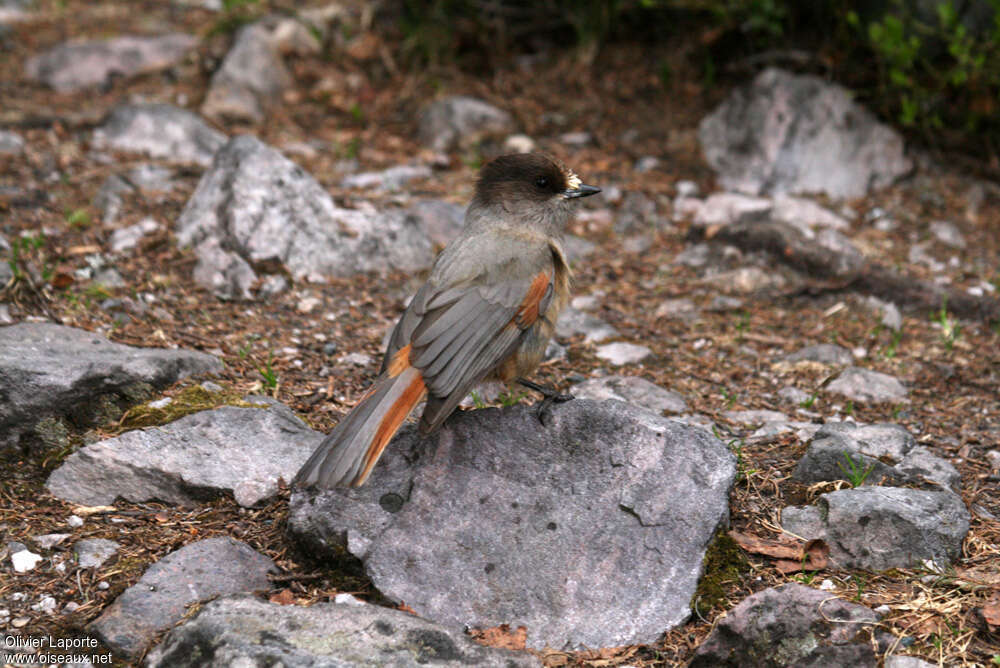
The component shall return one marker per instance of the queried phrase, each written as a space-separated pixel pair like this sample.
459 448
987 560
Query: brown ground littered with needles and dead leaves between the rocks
723 361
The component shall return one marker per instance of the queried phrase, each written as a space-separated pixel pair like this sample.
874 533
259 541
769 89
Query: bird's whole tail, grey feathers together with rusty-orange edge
348 454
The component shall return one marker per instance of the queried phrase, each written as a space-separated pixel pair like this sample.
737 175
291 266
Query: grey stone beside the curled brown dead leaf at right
884 527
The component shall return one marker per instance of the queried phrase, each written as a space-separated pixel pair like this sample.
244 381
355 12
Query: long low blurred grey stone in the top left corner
77 65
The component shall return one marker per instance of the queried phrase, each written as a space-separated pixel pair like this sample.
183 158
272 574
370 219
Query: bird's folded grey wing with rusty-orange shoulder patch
456 333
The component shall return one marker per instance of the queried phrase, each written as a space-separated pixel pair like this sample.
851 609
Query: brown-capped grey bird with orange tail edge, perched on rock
487 312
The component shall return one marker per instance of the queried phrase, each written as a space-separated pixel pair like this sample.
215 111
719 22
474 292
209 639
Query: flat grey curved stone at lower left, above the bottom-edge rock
196 572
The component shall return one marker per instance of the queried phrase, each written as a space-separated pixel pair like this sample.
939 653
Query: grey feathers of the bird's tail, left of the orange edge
339 459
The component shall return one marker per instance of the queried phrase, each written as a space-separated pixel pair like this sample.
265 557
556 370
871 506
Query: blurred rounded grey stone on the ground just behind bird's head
460 121
